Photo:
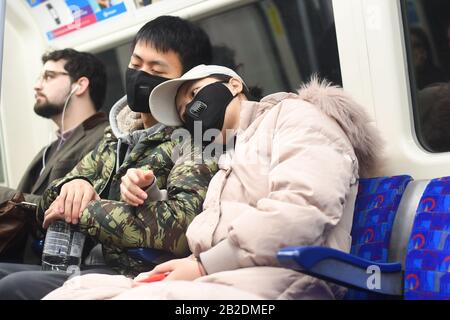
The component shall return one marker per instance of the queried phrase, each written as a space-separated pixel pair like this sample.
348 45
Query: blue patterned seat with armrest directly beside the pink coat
376 206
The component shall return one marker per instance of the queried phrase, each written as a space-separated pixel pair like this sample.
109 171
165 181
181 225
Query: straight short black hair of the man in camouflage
184 38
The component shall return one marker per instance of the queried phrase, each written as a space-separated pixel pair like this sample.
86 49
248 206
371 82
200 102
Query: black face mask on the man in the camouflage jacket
139 86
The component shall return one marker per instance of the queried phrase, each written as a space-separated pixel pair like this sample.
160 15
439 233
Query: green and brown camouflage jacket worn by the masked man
185 180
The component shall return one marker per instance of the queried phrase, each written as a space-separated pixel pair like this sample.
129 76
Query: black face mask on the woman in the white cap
209 107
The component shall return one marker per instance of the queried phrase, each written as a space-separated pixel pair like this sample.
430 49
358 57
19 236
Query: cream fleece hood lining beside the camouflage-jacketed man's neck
123 121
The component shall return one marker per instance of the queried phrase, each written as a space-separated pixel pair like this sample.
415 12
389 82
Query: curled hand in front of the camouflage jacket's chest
133 184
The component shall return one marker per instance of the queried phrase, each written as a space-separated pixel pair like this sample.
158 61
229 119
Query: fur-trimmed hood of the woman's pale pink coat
351 117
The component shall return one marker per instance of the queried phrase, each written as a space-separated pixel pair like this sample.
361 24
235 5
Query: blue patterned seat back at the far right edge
427 266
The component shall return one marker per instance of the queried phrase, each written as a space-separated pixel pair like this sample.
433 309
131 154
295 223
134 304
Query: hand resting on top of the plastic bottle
72 200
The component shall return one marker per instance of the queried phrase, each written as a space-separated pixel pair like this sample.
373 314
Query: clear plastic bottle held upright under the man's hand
63 247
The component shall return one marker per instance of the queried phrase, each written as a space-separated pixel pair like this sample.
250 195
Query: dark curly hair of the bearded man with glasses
83 64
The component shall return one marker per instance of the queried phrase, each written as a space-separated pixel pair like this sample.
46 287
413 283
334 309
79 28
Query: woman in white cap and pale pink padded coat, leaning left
291 180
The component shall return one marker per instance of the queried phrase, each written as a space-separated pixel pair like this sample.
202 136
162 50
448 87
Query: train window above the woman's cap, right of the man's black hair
276 44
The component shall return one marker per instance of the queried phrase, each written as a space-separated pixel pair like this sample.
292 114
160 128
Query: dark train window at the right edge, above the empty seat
427 33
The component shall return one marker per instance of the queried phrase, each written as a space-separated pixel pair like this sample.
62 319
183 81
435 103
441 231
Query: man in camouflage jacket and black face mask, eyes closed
136 152
